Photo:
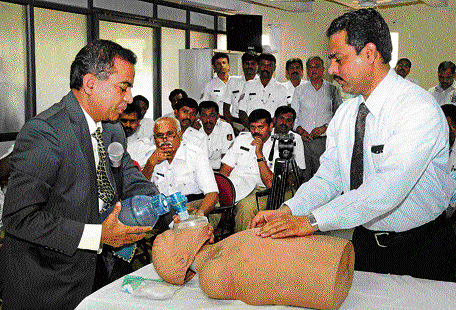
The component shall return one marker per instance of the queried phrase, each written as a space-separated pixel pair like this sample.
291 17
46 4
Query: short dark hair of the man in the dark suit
97 58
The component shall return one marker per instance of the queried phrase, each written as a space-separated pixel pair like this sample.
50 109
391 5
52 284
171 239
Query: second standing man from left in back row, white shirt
235 87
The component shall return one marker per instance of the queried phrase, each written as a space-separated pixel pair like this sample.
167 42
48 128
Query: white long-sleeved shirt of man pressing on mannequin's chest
405 152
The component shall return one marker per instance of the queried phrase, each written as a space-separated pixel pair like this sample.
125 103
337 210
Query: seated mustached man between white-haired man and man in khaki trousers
220 134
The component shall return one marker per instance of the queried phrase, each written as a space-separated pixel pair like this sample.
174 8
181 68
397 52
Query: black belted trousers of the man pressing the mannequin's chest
428 251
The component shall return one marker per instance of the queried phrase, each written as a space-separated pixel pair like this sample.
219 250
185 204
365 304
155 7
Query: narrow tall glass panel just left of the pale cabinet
172 41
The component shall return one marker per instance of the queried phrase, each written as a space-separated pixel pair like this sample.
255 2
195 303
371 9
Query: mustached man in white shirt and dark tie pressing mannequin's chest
377 175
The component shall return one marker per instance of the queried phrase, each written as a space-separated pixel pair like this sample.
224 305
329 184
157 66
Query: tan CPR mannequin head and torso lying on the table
312 271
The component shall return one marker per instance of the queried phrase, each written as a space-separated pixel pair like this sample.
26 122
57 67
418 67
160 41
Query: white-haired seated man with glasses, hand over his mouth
179 166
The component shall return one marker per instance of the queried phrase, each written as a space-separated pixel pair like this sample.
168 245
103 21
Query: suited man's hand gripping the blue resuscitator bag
116 234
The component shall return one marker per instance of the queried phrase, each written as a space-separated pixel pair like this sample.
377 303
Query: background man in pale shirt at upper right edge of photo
444 93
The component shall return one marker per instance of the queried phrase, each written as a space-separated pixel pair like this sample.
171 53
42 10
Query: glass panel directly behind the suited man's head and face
139 39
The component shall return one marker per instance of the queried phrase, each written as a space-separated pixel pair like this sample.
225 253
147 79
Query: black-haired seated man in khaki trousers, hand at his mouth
248 166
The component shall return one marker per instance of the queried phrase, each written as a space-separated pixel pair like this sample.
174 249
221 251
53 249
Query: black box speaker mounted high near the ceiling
244 32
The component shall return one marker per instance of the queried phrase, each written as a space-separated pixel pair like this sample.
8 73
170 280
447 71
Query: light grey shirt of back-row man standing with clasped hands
315 108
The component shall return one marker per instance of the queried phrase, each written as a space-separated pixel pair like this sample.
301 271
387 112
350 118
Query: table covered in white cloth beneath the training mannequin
368 291
